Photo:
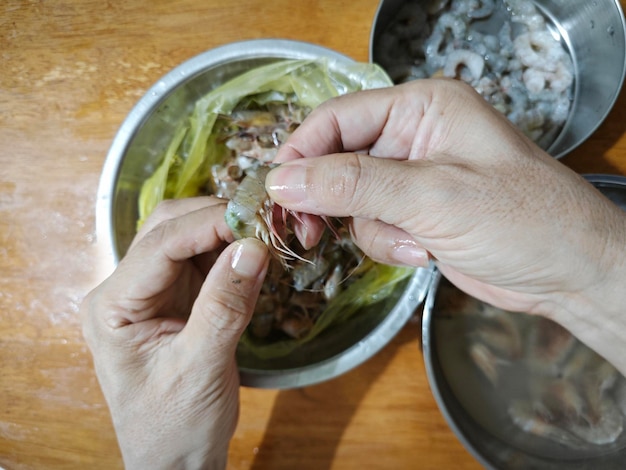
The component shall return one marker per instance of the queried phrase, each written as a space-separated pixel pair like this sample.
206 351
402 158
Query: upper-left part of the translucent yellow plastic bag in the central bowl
186 161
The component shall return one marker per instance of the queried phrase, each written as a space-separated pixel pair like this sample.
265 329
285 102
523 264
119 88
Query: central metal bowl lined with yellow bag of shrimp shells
159 131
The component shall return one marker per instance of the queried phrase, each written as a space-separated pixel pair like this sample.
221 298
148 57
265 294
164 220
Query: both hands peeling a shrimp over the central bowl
425 170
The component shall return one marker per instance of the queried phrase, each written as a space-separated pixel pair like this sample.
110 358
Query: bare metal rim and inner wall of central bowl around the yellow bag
133 157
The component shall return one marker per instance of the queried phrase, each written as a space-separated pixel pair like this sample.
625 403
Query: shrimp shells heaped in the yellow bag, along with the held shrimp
300 282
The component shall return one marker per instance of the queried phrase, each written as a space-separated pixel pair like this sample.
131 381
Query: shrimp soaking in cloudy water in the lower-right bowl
564 392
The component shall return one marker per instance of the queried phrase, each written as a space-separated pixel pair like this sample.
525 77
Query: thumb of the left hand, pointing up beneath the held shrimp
227 299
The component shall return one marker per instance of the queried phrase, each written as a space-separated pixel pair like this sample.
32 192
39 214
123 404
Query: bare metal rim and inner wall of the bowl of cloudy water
470 413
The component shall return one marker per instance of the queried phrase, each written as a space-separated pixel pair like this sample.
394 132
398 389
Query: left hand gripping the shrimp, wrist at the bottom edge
163 330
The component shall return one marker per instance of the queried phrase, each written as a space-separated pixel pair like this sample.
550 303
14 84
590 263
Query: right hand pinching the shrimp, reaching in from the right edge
430 169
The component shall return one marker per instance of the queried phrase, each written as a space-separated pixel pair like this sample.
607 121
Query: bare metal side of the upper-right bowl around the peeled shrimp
594 34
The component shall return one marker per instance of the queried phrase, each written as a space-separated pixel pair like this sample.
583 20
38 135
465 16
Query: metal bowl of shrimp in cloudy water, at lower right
520 391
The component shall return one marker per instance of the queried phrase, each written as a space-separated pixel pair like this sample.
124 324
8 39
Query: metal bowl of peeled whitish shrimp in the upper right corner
554 68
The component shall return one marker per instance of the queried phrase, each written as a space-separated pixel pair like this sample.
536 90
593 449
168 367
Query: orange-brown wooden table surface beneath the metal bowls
70 71
